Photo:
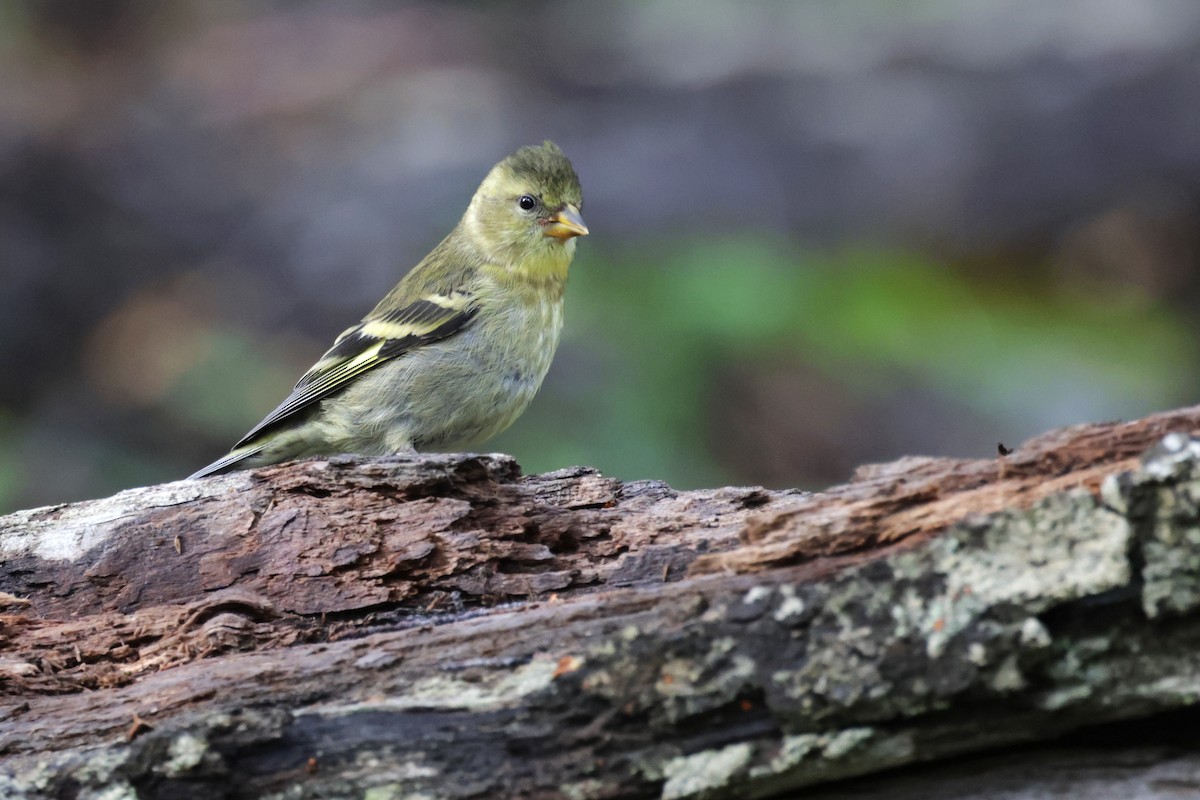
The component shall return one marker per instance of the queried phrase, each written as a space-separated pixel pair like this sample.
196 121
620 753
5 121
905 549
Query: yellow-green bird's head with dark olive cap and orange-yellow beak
526 214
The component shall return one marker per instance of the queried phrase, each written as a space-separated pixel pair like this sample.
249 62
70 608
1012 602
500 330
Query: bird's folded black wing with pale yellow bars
370 344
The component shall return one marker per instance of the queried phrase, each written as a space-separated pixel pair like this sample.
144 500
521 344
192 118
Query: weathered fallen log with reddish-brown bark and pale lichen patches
443 628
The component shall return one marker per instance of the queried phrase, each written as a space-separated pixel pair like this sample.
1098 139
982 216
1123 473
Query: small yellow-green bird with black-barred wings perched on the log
454 354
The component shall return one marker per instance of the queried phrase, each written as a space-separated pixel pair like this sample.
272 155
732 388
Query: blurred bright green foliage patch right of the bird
650 327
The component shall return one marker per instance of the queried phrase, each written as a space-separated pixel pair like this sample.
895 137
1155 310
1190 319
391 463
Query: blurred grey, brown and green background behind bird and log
823 234
